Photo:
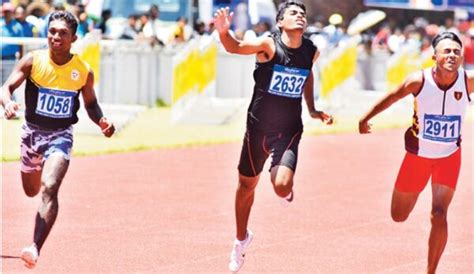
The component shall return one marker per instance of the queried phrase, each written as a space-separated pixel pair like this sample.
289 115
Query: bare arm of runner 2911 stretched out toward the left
410 86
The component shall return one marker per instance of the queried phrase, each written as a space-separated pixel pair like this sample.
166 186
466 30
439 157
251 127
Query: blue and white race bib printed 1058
55 103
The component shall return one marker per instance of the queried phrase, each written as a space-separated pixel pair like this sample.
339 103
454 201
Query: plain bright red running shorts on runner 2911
415 172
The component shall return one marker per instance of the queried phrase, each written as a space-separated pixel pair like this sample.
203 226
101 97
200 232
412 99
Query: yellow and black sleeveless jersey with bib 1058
52 91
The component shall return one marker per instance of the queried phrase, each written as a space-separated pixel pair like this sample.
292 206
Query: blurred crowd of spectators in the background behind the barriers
27 18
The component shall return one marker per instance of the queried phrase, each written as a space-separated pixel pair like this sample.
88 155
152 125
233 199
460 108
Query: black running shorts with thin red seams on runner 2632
257 146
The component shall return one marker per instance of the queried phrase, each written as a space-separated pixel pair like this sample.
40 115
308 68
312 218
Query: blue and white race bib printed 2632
287 81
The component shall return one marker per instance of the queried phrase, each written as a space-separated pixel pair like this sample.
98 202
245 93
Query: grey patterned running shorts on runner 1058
38 143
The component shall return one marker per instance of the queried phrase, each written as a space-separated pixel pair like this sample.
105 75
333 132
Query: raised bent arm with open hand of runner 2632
264 47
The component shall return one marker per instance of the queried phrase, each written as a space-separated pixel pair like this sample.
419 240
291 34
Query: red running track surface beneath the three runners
171 211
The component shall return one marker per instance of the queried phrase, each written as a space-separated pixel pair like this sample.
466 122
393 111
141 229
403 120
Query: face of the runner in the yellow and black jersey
60 36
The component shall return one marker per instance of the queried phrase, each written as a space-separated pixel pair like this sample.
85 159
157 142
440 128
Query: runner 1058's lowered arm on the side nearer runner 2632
93 109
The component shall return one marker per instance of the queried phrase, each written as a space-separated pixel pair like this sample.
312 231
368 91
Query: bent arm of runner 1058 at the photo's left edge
21 71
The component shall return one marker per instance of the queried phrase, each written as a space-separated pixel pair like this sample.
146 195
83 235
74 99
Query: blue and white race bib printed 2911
442 128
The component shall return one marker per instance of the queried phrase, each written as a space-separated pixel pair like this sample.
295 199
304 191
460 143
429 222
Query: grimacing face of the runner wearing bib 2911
448 55
